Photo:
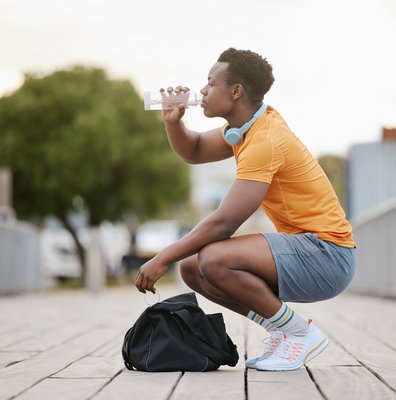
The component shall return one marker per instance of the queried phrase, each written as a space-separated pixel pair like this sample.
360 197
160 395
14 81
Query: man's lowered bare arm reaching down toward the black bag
242 200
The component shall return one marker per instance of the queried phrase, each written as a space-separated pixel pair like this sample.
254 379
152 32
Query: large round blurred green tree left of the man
78 134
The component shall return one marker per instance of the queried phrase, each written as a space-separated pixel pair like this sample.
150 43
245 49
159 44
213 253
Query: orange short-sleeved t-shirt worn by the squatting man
300 197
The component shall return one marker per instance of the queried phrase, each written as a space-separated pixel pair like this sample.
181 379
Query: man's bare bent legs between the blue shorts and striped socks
238 273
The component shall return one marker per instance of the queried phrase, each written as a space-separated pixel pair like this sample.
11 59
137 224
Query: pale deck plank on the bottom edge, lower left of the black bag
64 389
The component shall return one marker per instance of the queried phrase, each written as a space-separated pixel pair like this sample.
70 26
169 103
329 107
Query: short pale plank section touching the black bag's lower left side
93 367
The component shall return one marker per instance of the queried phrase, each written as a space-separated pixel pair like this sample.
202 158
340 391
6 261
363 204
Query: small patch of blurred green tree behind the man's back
335 169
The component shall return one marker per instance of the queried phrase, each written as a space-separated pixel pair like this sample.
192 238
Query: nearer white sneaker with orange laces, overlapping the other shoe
294 352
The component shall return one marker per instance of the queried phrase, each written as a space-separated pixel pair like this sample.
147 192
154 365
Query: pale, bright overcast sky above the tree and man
334 61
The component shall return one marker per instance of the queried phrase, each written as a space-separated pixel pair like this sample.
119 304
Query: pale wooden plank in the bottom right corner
350 383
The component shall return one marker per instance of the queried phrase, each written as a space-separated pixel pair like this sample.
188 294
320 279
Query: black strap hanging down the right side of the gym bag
219 356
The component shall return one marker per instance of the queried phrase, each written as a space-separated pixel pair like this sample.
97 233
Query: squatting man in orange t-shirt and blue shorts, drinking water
311 258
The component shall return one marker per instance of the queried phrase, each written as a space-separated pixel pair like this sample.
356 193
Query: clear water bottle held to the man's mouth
169 101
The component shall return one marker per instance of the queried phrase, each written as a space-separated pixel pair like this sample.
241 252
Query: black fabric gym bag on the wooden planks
176 335
